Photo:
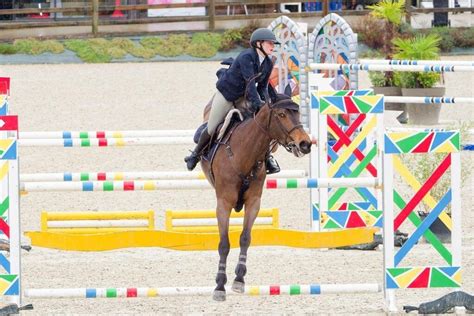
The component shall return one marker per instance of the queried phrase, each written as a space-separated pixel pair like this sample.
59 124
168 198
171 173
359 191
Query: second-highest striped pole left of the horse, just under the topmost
105 142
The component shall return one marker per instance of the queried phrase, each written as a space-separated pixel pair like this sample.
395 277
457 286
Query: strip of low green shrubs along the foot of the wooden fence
205 45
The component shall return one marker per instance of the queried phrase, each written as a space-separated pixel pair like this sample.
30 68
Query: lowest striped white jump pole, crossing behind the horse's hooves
306 289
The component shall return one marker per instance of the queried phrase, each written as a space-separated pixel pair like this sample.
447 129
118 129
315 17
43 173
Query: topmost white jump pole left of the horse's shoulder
105 134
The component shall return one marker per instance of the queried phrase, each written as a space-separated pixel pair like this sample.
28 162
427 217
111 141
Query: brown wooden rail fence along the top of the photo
94 15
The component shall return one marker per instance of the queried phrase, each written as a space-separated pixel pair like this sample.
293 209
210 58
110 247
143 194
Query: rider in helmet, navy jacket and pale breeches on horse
250 70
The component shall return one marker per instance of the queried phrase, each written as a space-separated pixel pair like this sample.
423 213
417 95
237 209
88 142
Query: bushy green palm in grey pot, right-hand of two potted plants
420 47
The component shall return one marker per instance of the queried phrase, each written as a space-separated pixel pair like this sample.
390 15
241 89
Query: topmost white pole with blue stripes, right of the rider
372 67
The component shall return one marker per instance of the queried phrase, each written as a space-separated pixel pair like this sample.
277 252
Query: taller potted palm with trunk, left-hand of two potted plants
388 15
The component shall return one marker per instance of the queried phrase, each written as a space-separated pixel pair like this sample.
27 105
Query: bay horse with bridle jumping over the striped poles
237 172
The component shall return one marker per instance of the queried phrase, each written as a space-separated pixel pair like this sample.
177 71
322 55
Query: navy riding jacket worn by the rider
233 81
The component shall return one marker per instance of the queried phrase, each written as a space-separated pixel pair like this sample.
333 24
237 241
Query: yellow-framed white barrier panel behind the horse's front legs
198 221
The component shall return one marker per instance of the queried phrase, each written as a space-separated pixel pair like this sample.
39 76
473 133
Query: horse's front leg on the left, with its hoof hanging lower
222 213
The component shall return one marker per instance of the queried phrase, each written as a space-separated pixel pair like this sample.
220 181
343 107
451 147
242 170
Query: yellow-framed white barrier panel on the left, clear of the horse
96 222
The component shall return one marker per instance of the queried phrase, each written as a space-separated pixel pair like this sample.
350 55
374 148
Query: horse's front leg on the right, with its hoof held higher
252 208
